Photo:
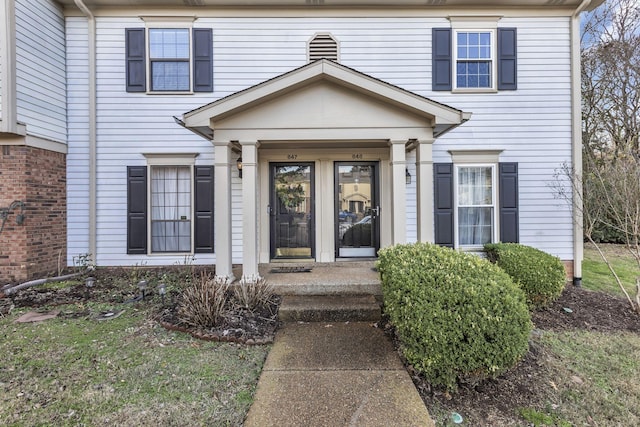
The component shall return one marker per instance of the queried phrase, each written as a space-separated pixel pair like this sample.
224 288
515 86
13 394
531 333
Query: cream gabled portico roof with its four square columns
320 105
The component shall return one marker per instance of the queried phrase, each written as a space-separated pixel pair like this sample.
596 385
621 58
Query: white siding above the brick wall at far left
40 69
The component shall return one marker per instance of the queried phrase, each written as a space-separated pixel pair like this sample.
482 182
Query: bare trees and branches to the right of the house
610 181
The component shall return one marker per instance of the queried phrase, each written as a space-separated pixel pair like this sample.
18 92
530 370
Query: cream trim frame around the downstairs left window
154 159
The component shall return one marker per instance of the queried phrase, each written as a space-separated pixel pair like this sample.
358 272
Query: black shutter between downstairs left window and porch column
204 209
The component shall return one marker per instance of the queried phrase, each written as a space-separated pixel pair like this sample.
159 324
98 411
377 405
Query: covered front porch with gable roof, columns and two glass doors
322 116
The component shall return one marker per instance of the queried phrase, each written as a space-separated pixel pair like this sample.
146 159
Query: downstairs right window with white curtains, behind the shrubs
475 205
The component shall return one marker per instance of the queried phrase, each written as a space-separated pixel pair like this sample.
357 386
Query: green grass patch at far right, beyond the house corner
596 275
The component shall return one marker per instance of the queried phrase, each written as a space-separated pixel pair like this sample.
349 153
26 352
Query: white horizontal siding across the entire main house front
532 125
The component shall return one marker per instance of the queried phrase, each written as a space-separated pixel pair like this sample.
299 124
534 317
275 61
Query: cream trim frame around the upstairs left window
164 22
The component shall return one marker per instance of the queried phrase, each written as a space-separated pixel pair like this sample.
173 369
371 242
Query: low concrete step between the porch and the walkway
329 308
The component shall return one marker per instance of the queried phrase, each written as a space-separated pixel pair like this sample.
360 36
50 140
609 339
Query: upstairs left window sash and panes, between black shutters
169 59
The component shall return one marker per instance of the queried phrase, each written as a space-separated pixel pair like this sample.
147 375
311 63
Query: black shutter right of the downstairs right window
509 225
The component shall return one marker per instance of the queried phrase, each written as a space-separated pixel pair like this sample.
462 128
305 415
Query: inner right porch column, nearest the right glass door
398 192
